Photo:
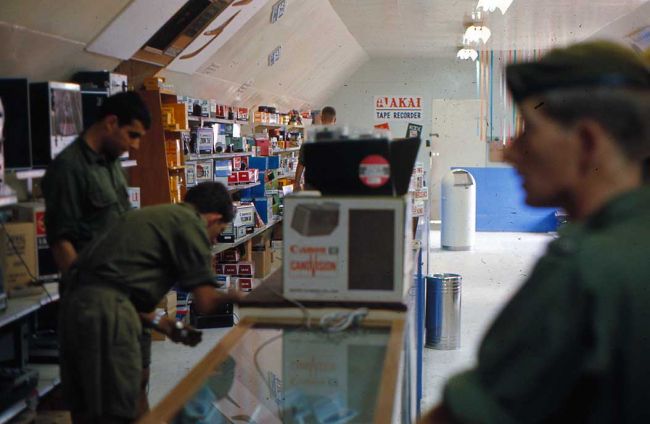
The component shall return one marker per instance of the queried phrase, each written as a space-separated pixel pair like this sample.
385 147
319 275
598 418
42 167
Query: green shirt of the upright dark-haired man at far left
84 194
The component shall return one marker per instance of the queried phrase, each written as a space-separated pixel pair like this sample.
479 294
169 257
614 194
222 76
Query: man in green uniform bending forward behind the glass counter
114 287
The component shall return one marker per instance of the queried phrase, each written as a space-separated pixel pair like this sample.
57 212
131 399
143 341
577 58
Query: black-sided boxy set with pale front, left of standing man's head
56 118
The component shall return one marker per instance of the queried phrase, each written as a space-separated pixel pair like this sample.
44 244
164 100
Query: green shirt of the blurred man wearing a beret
573 345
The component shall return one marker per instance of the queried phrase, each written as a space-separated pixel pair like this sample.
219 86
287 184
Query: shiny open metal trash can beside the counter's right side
443 311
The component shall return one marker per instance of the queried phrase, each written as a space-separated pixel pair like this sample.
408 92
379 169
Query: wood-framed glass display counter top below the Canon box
284 372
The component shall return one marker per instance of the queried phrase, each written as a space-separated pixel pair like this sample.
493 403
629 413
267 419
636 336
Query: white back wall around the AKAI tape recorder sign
430 78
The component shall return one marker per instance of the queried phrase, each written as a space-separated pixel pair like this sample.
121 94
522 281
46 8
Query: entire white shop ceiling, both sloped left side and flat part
323 41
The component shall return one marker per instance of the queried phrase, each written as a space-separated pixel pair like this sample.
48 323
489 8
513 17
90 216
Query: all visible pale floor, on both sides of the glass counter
491 273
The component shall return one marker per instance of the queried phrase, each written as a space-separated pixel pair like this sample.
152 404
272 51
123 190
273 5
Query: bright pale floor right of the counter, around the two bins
491 272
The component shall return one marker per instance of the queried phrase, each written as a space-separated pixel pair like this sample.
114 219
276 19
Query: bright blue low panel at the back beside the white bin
500 204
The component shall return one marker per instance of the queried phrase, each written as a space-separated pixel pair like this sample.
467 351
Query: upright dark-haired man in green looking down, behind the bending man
85 188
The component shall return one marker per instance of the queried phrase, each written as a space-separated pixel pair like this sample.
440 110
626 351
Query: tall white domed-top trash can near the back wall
458 214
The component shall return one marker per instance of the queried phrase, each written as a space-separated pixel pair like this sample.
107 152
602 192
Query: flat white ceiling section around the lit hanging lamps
432 28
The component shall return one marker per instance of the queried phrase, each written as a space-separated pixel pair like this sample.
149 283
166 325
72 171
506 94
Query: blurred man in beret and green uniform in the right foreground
573 344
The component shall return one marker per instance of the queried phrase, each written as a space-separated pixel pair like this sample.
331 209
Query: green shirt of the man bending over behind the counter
147 251
